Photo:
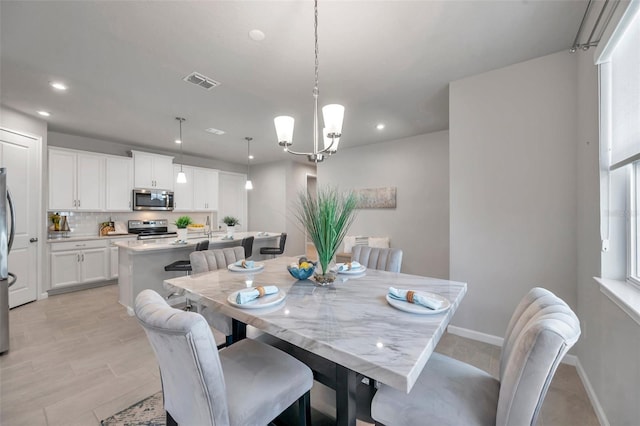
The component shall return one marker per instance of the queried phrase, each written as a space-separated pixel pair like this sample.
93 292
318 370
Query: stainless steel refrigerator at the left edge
7 279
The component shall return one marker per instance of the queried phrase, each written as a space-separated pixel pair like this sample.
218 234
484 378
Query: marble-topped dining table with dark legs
345 331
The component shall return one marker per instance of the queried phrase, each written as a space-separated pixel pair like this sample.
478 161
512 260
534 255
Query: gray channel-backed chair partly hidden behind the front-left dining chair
211 260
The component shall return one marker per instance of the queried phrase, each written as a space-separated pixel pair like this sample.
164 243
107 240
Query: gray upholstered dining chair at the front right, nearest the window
449 392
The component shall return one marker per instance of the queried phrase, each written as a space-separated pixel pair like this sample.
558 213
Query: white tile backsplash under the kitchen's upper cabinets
87 223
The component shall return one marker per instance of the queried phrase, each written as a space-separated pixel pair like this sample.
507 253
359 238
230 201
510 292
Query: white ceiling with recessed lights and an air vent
385 61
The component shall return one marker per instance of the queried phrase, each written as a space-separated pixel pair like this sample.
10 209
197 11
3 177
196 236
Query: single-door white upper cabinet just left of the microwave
119 183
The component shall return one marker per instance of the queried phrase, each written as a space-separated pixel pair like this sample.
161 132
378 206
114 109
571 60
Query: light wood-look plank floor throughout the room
78 358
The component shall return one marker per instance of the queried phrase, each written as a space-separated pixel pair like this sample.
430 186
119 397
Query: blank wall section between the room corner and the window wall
513 134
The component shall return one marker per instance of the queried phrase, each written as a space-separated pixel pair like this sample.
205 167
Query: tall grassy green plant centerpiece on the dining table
326 216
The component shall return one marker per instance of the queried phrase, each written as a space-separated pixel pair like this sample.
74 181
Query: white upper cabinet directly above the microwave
152 171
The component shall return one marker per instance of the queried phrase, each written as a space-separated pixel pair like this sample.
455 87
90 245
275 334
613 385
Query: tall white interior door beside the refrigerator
21 156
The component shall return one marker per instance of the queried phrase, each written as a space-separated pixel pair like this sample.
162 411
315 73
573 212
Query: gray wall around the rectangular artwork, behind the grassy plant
419 167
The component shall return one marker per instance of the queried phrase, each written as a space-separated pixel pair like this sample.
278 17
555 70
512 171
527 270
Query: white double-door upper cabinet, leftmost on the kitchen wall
76 180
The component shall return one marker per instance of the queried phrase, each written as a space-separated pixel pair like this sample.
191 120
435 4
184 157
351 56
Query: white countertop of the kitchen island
169 243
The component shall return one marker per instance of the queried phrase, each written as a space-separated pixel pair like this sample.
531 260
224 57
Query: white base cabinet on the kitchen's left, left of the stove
78 262
